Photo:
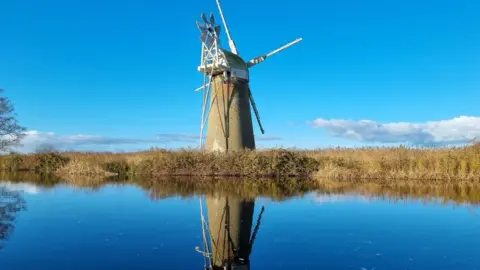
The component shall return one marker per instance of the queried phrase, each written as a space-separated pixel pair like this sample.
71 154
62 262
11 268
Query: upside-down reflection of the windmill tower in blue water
228 236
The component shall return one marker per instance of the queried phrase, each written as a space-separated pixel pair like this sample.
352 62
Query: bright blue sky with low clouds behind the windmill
124 71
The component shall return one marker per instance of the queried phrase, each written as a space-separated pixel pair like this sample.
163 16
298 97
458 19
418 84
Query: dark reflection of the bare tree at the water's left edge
11 202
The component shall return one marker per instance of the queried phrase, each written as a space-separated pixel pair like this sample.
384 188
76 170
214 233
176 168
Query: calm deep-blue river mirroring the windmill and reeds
125 226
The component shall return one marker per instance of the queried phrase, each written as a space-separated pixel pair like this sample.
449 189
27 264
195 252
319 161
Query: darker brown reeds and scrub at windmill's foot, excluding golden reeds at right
162 162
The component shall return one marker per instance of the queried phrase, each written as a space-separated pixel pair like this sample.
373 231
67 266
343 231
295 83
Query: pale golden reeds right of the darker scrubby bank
458 164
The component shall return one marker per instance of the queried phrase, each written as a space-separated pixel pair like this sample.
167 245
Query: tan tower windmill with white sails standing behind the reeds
226 91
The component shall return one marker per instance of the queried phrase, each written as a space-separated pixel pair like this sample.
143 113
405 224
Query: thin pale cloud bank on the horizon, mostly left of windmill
36 140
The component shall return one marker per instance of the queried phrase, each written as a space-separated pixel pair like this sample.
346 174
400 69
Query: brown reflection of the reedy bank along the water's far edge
166 187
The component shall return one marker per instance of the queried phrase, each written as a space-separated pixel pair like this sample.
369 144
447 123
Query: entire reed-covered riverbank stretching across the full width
378 165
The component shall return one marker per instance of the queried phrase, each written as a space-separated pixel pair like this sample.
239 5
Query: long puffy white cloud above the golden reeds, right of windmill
453 131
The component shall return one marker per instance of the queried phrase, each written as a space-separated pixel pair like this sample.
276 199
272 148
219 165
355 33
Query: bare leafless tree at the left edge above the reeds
10 131
